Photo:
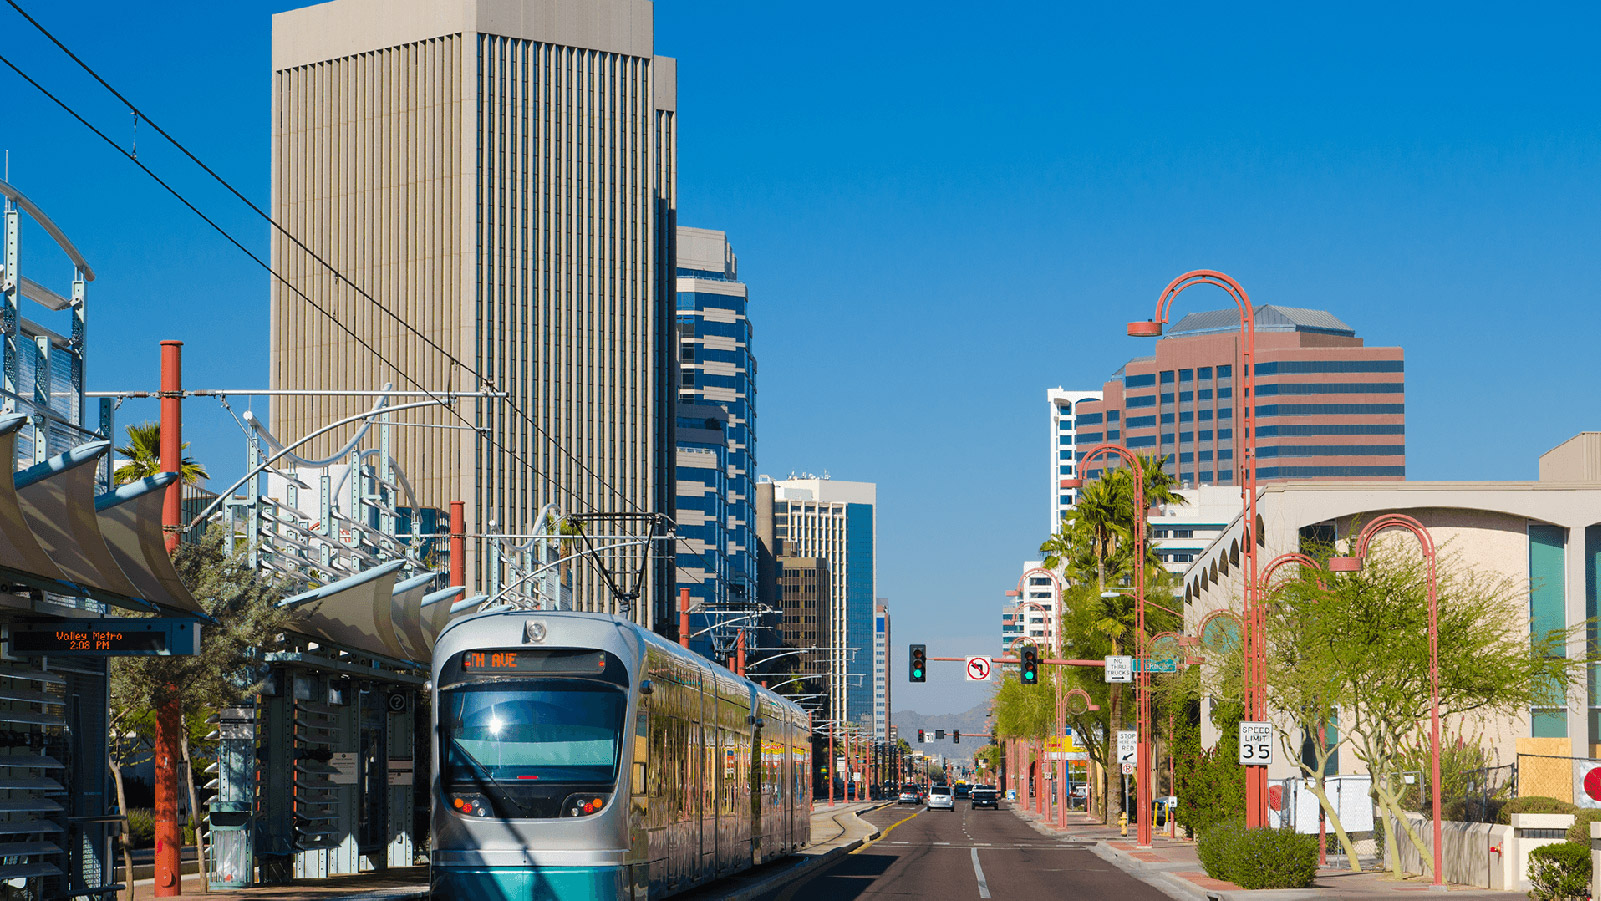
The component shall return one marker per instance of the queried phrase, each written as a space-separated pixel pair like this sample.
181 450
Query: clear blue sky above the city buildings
947 209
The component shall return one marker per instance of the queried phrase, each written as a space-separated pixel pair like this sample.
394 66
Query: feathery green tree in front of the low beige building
1355 654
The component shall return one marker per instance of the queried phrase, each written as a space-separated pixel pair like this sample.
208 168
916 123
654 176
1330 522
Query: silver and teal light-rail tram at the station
582 756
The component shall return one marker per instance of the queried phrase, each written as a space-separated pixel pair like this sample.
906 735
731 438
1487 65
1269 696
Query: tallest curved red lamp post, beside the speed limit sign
1256 777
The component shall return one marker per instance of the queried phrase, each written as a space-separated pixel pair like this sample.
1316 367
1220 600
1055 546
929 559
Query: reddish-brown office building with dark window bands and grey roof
1328 407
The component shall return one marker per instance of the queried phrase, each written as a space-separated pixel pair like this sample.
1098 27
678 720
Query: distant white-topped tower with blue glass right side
838 523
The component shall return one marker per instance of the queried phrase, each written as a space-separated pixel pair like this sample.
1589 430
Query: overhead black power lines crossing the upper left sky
307 250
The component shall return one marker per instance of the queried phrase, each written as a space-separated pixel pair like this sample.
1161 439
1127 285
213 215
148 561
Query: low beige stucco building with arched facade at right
1544 535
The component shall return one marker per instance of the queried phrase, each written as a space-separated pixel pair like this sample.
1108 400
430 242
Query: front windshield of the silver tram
539 731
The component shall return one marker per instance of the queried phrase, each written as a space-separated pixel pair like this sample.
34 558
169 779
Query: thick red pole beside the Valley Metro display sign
169 715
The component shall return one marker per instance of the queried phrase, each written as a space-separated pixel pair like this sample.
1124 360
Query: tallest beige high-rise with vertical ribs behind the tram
500 175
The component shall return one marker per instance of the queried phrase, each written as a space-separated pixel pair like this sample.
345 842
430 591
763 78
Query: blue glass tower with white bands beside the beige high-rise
716 550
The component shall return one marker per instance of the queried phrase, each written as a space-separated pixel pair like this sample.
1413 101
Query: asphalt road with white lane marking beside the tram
968 854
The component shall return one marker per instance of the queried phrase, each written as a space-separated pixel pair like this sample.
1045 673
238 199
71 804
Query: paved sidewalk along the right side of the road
1173 867
